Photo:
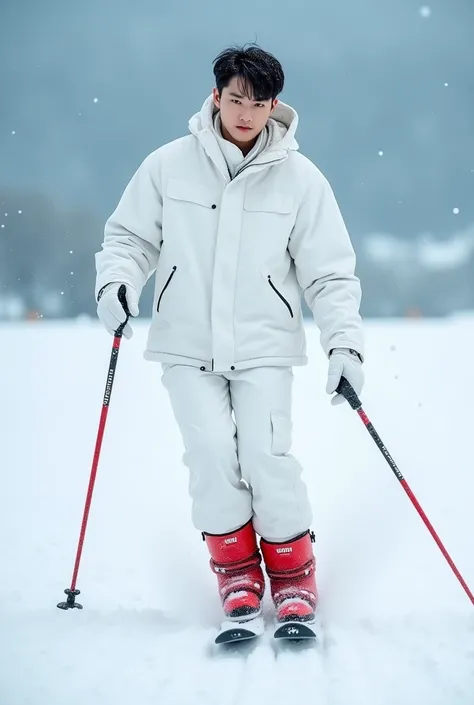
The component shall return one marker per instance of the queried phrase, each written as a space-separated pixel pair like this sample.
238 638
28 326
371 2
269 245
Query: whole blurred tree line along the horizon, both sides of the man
47 266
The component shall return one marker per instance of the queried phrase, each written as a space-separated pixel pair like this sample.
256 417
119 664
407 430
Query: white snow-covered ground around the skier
398 626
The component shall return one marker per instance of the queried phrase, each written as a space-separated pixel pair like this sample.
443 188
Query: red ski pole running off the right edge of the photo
347 391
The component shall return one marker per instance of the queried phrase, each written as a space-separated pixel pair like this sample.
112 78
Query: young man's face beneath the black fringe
242 119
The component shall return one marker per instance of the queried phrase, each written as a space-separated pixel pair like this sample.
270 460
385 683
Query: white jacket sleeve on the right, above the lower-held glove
325 268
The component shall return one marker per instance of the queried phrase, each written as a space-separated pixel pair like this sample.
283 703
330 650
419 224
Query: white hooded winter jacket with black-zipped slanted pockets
232 256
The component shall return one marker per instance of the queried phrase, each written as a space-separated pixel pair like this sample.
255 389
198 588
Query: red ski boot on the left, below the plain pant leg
235 559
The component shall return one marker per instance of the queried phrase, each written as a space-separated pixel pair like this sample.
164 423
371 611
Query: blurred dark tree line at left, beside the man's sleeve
46 258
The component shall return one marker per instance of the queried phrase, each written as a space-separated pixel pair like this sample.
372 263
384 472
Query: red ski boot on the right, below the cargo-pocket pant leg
290 567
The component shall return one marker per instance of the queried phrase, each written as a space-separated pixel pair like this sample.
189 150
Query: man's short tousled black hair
260 74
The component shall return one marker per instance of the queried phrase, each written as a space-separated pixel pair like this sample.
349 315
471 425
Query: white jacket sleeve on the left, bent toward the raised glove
132 235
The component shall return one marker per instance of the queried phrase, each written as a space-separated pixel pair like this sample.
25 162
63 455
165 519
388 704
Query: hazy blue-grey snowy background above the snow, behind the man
385 95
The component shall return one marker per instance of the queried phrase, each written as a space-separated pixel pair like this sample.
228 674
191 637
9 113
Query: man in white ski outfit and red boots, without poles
236 223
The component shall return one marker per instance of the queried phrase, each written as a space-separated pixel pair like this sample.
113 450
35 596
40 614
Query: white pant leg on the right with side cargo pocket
261 398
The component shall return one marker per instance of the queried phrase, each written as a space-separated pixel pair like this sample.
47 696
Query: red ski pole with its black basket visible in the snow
72 592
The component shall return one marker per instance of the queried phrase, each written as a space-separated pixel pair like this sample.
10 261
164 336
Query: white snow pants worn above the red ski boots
236 428
